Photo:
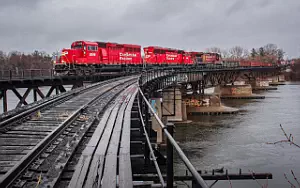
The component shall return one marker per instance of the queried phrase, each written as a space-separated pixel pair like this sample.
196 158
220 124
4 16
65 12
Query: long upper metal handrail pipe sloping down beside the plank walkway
181 154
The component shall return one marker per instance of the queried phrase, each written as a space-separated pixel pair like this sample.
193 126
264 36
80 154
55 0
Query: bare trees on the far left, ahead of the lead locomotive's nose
17 60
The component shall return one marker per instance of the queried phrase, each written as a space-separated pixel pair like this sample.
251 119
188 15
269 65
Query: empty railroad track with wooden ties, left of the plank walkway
36 151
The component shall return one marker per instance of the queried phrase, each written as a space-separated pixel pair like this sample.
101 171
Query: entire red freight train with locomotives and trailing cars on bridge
86 57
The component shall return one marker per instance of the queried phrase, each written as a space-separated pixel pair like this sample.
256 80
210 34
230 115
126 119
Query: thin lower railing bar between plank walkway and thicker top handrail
161 179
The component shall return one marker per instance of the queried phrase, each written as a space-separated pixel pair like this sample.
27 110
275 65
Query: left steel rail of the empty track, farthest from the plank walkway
52 101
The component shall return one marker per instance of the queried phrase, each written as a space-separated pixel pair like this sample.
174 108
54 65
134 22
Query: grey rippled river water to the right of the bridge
240 140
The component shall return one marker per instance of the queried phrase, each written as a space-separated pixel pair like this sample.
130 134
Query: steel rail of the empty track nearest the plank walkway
8 178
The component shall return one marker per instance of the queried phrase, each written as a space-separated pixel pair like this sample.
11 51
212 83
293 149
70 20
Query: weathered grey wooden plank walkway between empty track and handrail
98 165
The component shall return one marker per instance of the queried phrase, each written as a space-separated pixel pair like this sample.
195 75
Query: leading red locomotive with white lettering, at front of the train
88 56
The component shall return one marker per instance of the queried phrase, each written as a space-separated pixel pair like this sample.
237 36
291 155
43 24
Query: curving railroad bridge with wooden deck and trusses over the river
101 134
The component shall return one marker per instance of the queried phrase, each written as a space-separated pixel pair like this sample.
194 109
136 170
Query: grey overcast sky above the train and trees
50 25
